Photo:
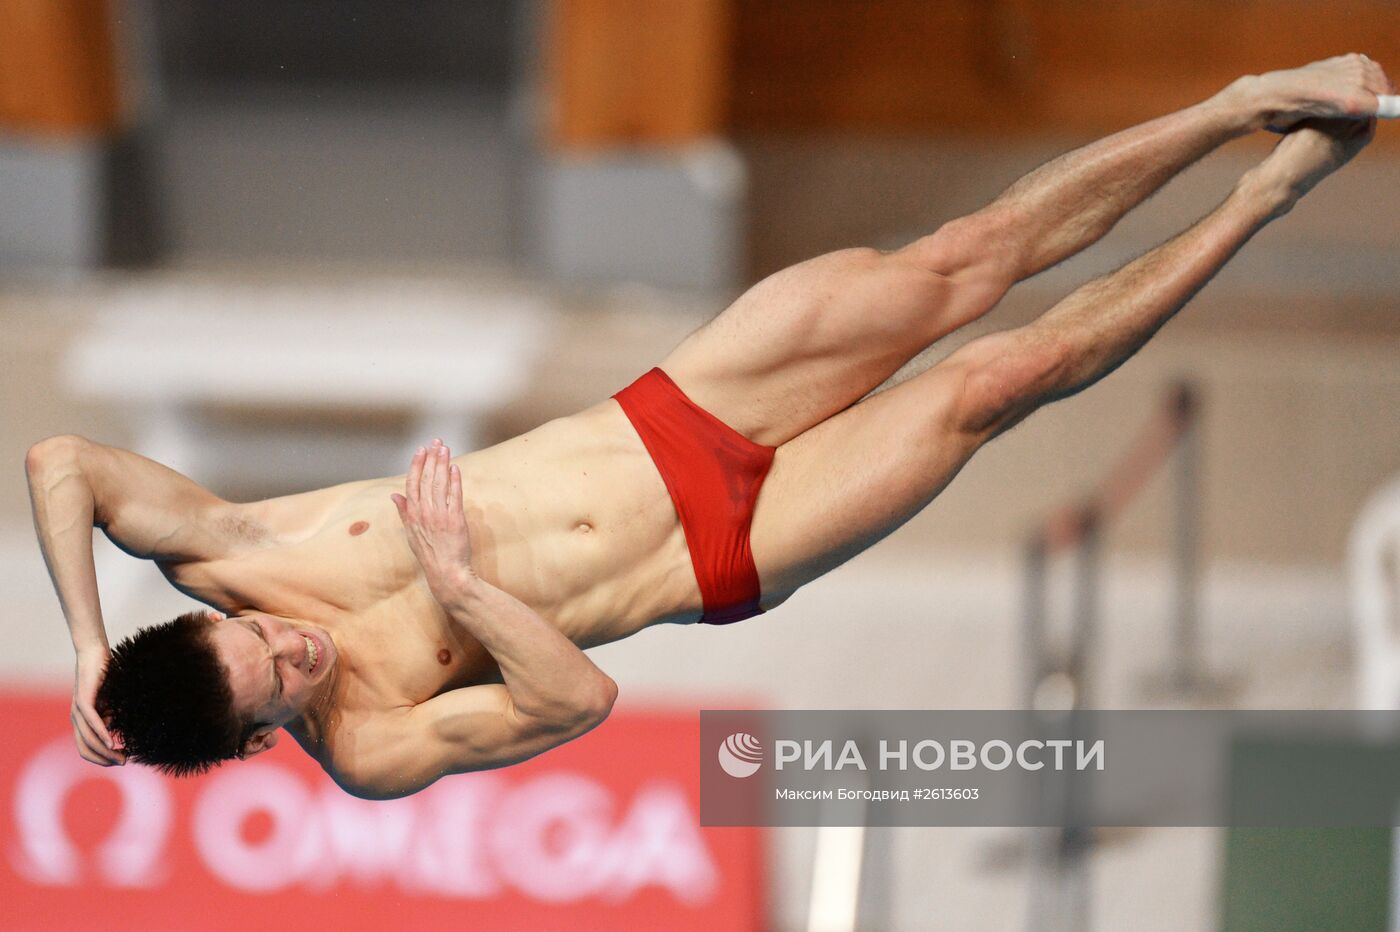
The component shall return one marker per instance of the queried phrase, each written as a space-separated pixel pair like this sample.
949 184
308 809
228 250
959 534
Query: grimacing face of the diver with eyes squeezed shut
275 665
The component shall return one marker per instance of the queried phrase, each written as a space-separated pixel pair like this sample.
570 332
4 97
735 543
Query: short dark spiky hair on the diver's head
167 695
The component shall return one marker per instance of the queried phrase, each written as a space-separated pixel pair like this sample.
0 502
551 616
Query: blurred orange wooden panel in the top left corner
58 66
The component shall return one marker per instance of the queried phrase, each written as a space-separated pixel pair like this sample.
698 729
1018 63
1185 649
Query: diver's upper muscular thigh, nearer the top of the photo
808 342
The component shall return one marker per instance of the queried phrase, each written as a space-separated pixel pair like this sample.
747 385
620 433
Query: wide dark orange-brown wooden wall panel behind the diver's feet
1021 66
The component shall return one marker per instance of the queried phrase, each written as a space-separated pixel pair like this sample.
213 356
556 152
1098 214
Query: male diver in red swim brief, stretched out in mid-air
411 628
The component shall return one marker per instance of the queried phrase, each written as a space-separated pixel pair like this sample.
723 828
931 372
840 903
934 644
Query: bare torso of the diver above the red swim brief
570 518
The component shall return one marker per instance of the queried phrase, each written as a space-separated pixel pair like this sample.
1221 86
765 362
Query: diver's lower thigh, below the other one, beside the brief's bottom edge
850 481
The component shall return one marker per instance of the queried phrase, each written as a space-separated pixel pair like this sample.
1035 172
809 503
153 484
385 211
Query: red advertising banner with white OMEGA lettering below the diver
603 833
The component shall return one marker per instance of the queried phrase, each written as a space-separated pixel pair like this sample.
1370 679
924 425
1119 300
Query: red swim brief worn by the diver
713 474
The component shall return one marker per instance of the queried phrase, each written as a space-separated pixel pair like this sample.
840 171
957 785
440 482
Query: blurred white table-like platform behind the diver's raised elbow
164 351
